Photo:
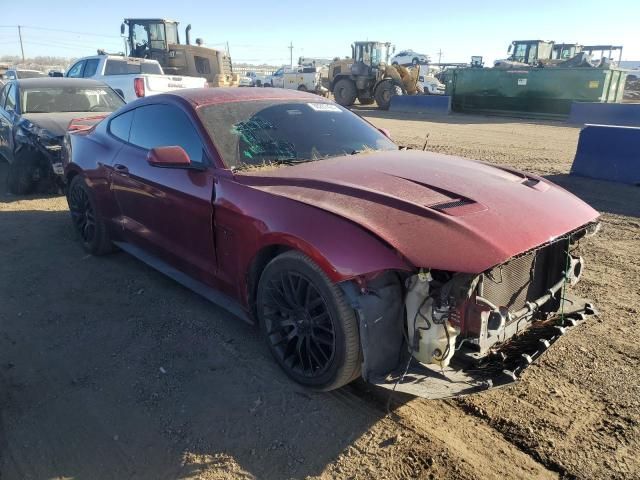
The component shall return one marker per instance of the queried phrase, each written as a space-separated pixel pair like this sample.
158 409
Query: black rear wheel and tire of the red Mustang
86 218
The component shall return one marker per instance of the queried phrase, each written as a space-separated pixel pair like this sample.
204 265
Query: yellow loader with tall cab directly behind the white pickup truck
158 39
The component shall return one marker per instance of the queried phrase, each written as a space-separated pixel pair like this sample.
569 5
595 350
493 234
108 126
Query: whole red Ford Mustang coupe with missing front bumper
431 274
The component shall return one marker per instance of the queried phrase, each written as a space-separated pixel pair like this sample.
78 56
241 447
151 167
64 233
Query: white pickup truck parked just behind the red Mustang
131 77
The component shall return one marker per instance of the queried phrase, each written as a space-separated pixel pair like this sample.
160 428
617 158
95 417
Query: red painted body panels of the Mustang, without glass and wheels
353 216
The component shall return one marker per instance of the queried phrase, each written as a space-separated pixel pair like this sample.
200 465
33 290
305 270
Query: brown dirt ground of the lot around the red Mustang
108 370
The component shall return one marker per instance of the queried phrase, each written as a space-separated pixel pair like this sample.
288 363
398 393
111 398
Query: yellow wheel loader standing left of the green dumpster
368 77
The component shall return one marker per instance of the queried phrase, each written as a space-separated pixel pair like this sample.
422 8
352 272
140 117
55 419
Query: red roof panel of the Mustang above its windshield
211 96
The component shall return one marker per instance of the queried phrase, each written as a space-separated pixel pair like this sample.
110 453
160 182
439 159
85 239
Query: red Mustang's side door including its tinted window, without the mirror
168 212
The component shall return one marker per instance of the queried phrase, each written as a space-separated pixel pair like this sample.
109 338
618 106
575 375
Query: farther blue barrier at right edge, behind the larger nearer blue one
627 114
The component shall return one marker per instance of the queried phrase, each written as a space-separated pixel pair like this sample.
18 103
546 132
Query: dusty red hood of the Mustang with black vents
438 211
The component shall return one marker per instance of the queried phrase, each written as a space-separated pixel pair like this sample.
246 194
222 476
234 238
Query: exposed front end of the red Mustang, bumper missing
438 334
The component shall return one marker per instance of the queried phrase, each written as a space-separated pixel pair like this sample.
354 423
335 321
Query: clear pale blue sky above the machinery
260 31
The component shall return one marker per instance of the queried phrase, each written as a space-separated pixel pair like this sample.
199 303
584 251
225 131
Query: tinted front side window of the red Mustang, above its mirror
165 126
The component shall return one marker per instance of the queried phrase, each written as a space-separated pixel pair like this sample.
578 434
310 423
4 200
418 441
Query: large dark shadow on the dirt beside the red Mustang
110 370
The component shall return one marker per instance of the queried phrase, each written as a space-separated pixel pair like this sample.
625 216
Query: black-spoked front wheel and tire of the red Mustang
311 330
